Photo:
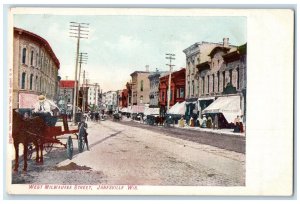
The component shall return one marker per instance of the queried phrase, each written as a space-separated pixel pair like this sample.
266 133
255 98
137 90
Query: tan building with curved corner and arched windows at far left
35 69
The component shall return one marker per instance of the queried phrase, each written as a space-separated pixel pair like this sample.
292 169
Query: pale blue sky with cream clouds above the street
119 45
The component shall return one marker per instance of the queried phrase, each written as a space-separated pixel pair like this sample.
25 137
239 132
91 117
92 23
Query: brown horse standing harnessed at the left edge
27 131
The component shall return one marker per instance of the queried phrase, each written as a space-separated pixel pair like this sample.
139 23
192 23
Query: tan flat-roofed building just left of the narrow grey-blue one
140 87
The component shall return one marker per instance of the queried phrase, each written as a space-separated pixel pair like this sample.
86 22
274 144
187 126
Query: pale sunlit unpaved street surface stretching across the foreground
121 154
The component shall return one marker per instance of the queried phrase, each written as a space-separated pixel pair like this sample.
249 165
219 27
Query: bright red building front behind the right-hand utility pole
177 89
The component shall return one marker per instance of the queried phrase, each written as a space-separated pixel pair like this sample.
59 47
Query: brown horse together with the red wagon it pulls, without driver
39 130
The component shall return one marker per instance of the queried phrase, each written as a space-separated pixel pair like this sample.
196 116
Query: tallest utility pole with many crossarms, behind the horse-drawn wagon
77 30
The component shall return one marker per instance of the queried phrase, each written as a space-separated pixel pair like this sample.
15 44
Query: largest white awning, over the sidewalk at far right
229 106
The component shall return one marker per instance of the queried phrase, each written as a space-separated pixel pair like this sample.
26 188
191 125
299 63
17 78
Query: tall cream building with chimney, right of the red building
196 54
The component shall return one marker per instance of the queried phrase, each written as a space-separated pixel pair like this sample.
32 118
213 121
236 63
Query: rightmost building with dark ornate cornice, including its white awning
223 77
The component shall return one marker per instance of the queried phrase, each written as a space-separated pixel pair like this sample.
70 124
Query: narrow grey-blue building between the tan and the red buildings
154 88
